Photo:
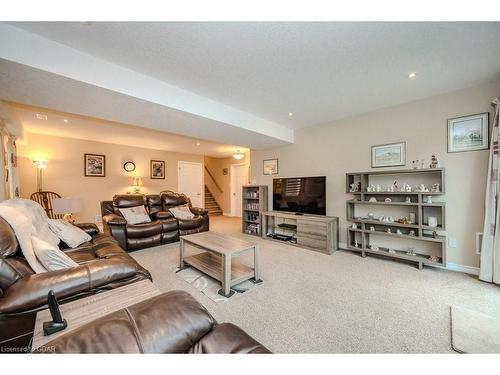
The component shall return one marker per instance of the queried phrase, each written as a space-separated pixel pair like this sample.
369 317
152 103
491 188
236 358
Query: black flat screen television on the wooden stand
302 195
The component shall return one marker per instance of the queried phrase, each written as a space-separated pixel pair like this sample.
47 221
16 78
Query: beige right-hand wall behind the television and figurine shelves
344 146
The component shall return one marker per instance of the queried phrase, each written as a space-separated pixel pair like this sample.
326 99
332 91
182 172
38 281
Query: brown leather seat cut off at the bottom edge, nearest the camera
173 322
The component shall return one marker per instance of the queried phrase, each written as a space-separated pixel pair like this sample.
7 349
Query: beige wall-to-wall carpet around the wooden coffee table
315 303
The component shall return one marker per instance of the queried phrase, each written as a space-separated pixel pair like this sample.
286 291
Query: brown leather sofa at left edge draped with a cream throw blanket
102 265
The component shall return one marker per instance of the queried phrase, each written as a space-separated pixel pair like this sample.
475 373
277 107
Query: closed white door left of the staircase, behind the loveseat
190 181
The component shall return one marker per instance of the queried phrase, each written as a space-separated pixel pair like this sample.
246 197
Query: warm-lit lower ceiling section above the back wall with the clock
91 129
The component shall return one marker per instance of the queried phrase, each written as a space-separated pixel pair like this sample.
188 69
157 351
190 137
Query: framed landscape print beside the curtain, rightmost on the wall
469 133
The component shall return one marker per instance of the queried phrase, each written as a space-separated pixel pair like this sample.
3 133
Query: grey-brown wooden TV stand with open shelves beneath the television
313 232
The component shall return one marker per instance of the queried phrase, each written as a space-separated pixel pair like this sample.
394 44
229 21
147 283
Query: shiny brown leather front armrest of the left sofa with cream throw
30 292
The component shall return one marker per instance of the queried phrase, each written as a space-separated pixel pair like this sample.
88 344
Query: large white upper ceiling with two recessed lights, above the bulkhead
318 71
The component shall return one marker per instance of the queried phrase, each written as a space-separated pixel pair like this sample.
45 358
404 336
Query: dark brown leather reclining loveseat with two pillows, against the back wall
163 228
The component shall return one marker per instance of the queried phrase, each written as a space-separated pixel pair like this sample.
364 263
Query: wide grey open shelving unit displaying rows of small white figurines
375 214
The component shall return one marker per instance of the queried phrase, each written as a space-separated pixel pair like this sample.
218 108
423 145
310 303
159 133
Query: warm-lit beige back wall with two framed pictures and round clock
64 174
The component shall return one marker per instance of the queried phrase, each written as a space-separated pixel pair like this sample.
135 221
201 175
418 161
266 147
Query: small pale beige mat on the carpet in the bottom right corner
474 332
